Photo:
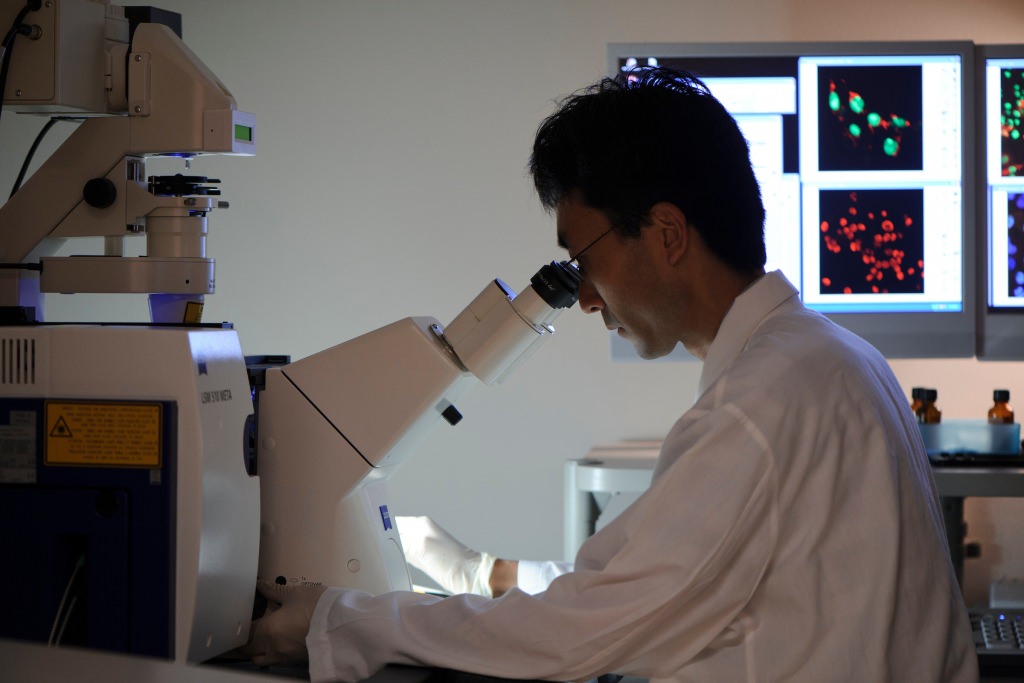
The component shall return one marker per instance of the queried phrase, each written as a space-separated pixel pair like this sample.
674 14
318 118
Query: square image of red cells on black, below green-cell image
872 242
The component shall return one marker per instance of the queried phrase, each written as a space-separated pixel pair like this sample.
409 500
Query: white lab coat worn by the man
792 533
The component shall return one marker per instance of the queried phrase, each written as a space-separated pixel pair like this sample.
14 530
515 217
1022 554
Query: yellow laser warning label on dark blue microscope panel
103 434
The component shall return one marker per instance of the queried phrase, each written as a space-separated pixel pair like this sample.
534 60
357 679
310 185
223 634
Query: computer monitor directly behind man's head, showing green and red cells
861 150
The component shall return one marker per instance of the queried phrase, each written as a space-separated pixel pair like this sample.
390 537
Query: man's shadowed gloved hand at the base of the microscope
280 636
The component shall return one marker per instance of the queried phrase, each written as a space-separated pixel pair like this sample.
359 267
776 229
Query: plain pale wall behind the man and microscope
391 181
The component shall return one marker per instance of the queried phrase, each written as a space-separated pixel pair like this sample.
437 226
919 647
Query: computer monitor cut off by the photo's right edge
1001 203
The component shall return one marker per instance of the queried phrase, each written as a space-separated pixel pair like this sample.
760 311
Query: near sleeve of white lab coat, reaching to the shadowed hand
661 584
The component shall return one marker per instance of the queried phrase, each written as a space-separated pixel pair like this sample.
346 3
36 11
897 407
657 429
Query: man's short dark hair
655 136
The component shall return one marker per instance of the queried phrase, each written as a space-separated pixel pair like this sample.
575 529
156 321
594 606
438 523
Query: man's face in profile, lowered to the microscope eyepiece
622 279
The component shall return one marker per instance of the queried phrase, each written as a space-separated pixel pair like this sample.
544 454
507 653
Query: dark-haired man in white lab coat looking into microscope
792 531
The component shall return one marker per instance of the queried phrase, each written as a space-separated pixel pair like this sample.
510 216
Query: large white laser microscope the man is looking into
149 475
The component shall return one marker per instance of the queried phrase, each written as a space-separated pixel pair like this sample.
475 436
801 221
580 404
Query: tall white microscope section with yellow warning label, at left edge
124 457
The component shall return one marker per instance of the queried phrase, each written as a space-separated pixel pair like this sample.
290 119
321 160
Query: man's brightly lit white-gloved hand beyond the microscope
433 550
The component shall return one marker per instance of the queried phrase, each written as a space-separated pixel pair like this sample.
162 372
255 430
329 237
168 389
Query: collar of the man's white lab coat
747 313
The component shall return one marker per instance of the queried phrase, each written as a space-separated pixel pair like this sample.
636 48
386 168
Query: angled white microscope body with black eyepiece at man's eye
334 426
